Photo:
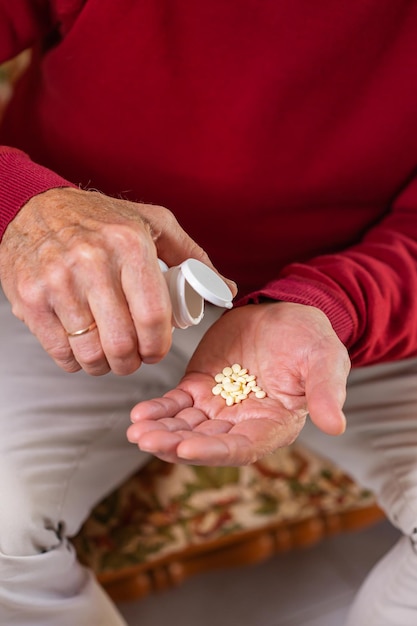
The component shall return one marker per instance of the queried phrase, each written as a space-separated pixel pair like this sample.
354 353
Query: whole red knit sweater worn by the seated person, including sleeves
283 135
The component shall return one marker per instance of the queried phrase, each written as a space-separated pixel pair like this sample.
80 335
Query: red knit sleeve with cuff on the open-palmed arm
368 290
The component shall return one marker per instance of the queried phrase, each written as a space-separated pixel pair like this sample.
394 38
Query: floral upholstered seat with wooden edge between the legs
172 518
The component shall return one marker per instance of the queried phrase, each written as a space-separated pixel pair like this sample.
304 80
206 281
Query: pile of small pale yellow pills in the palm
234 384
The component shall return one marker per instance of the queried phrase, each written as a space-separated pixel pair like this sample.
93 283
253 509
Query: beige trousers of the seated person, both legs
63 447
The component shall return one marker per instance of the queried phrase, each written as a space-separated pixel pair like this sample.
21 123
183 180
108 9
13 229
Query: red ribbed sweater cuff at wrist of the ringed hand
20 180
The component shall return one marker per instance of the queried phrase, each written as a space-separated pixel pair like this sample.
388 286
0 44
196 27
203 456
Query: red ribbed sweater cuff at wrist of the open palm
311 294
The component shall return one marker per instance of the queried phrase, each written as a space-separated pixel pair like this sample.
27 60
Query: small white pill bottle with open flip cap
190 284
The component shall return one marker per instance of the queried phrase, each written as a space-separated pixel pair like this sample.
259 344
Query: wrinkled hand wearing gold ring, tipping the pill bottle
72 257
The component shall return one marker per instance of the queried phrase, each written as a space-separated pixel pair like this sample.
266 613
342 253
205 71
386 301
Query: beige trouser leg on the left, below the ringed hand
63 447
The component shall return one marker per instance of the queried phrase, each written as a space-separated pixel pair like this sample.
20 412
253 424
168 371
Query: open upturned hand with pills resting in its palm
297 359
